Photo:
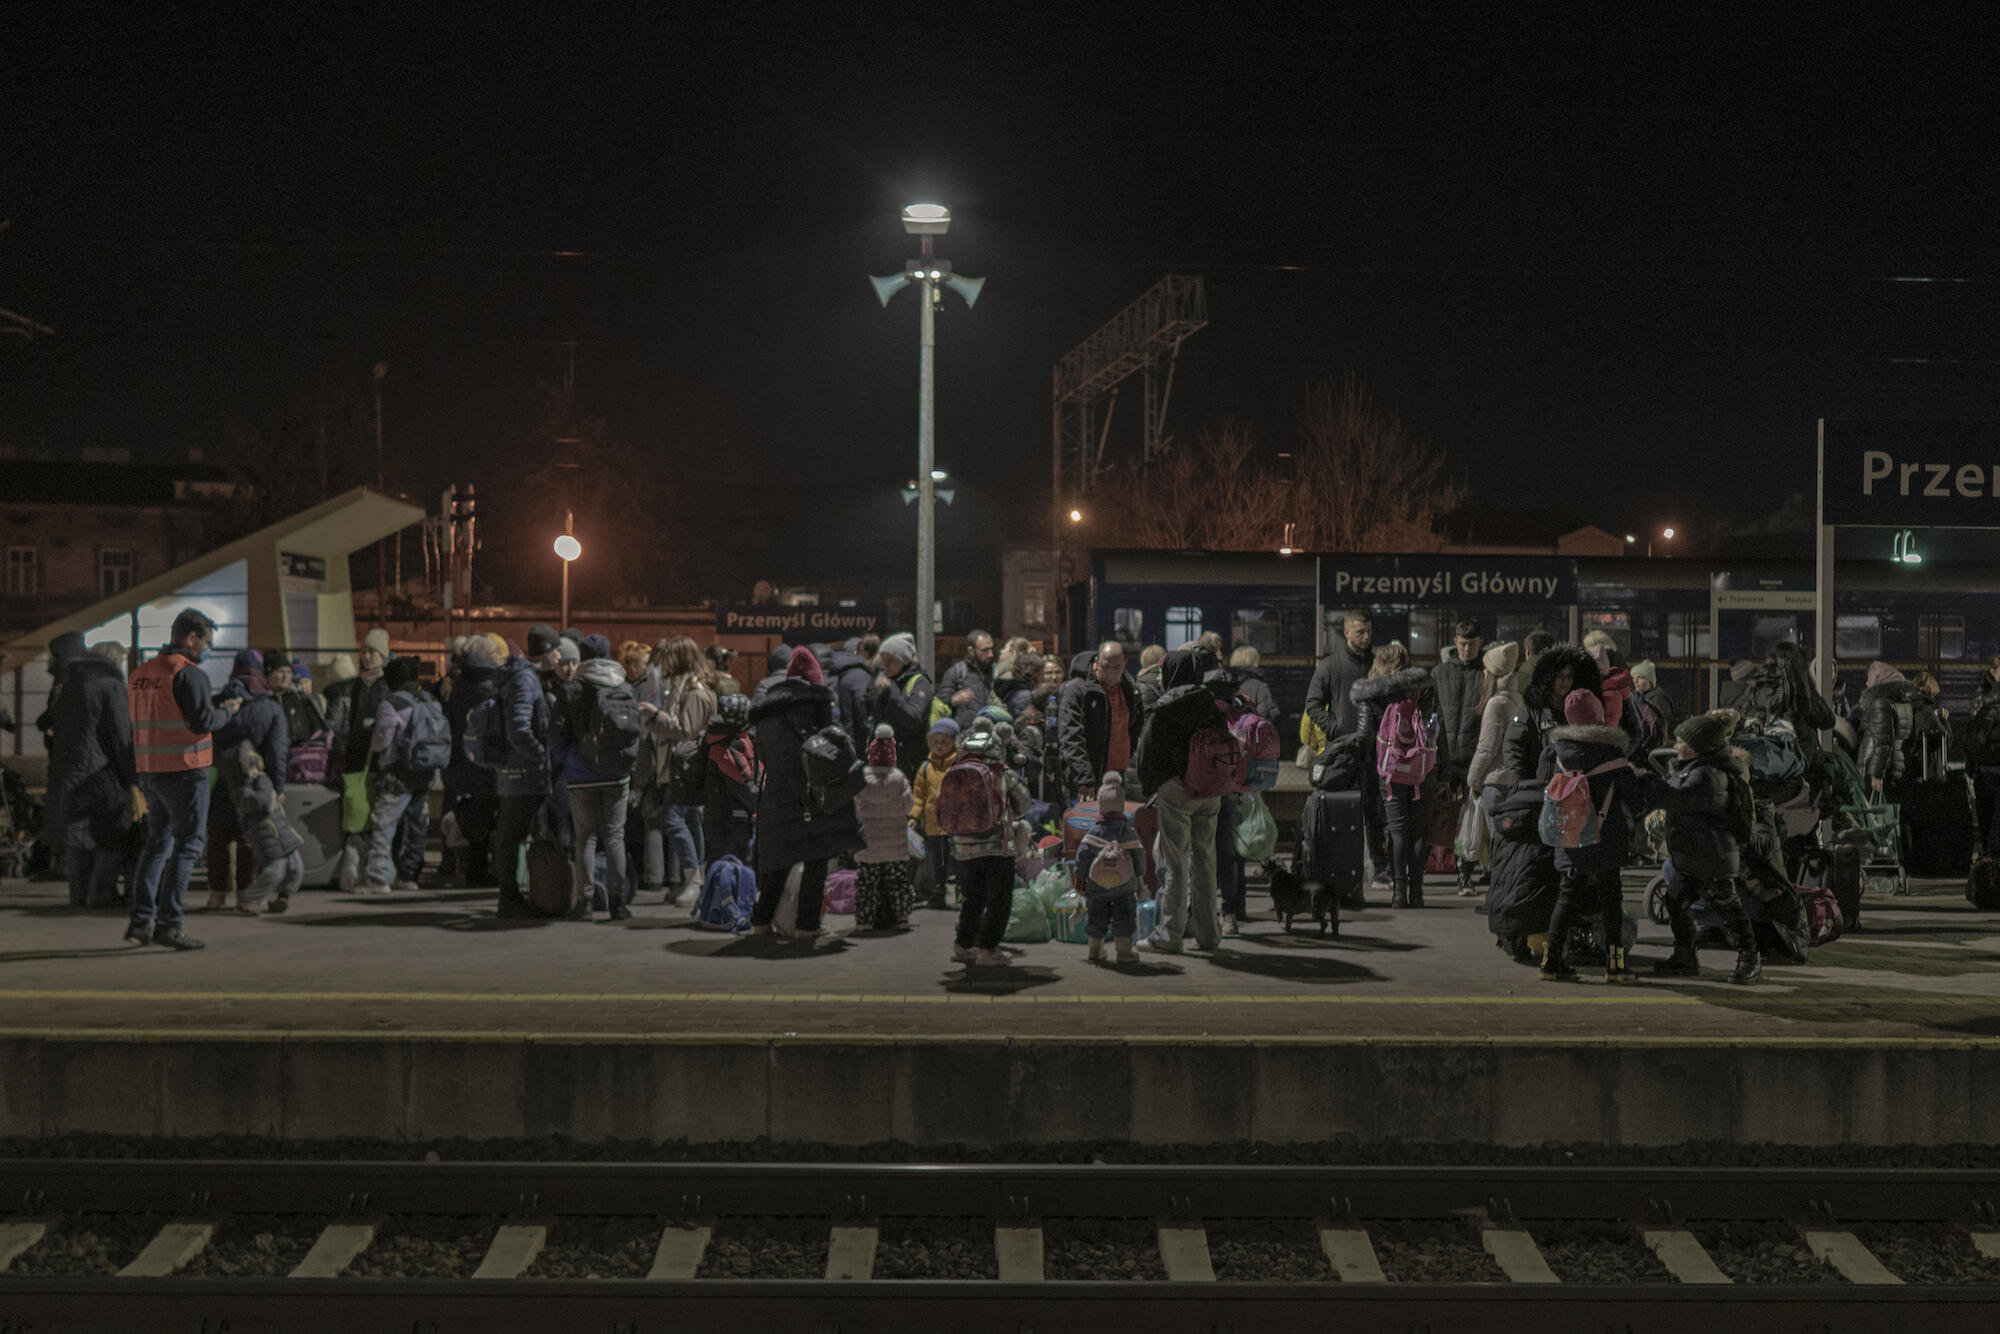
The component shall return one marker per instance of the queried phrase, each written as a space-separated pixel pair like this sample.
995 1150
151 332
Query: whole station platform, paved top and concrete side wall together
425 1017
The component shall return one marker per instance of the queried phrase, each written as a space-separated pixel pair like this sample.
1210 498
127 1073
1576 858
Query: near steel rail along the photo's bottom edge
735 1307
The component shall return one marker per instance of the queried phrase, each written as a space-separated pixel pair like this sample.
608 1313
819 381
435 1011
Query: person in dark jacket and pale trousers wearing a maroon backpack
1187 841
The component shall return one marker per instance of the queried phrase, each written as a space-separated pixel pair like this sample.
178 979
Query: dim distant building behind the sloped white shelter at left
75 533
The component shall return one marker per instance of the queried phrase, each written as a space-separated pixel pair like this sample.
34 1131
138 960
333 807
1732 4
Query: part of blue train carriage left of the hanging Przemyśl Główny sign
1255 599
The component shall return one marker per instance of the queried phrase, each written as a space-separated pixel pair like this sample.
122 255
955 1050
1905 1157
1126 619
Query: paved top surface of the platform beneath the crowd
1925 967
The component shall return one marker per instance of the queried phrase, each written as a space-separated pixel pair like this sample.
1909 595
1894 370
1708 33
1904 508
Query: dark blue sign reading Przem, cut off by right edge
1911 475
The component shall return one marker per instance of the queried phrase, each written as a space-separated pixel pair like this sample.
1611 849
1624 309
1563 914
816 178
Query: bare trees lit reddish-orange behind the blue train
1363 481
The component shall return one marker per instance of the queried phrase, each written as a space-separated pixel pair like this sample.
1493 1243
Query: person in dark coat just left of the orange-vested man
91 779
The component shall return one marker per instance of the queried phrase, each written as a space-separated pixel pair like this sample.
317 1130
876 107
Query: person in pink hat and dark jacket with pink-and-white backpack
1591 875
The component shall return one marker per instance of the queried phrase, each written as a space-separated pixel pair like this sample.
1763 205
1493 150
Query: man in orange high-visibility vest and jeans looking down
173 729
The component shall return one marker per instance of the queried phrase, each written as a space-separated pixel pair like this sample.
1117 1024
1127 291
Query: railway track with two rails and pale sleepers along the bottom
627 1249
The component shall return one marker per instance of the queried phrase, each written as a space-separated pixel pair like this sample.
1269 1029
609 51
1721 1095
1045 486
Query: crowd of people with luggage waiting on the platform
617 773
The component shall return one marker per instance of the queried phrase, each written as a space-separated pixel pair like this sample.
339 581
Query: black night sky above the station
1613 263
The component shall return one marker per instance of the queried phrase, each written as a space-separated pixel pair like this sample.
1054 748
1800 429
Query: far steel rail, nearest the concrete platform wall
1117 1191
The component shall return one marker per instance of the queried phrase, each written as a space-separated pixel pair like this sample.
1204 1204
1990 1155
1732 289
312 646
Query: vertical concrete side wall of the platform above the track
1001 1091
